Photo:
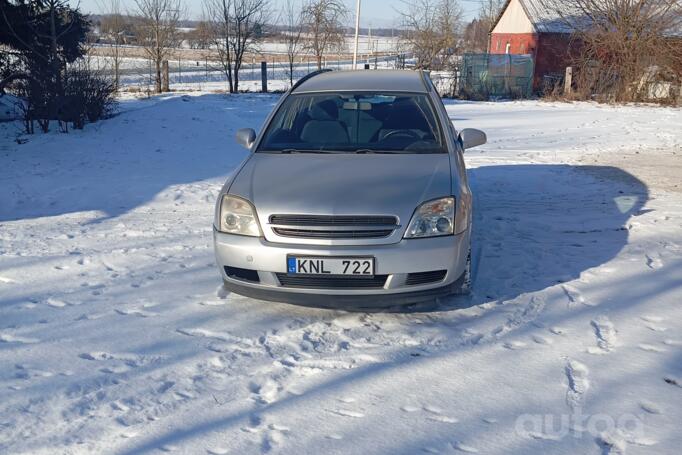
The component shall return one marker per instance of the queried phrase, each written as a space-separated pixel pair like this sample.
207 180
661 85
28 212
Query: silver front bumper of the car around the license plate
394 260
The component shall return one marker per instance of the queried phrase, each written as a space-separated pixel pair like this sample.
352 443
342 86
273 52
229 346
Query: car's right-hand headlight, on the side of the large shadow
433 219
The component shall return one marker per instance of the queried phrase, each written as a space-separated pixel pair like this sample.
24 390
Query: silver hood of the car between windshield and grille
341 184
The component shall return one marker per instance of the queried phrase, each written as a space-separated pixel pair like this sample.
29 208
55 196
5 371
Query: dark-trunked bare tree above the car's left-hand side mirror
237 29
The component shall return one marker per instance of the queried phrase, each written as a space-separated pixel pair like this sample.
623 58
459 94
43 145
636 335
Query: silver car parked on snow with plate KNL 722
355 192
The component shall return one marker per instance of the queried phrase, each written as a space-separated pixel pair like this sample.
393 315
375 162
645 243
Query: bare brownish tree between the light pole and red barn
432 28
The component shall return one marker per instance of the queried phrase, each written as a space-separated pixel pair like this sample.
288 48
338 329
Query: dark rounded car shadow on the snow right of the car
539 225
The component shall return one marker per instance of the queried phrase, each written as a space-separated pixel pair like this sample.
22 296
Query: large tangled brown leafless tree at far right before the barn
621 46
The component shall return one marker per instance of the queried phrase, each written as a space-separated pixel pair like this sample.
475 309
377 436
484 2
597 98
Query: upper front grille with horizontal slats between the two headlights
333 226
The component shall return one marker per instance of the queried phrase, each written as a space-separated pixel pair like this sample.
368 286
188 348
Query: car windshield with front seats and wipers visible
354 122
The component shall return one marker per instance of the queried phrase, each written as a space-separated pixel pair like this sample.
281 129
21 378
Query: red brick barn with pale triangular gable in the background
528 27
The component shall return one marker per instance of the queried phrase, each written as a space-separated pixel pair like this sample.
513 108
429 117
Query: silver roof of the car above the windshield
364 80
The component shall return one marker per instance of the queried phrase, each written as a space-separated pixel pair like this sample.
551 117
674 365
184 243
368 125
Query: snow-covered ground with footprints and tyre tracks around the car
116 336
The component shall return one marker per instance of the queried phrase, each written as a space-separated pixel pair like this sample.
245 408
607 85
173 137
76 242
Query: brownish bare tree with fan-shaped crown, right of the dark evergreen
157 31
